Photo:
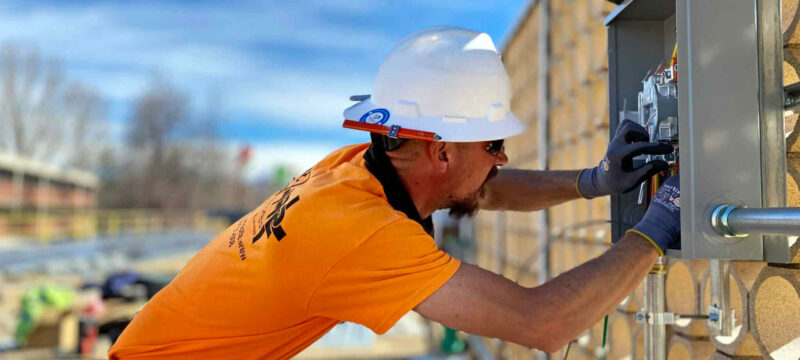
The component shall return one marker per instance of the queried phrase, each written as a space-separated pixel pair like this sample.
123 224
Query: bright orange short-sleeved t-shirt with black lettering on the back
330 247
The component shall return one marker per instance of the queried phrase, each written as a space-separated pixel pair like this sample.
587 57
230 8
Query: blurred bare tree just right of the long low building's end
174 160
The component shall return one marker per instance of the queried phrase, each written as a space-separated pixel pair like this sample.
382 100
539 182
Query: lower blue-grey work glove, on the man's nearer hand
661 223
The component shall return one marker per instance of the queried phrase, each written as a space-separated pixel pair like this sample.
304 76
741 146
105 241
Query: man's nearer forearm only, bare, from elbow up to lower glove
577 299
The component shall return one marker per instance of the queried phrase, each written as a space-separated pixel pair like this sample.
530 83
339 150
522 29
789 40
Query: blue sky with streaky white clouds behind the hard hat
283 70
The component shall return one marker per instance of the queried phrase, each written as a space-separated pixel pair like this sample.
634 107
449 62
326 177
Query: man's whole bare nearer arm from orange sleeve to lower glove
545 317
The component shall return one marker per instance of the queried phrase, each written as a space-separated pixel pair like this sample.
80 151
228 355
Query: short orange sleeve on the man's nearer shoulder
383 278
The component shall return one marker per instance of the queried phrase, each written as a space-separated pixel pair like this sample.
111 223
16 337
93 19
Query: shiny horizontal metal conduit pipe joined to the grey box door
733 221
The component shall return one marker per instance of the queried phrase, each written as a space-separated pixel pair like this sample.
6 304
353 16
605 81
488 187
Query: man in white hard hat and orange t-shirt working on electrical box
348 240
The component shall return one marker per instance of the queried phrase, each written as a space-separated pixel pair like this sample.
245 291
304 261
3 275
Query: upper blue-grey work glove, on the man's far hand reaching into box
616 174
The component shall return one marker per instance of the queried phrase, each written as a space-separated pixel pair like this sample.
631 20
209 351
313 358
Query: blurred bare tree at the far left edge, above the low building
41 115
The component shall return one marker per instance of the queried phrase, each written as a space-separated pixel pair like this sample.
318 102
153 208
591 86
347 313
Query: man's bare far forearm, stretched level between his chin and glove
529 190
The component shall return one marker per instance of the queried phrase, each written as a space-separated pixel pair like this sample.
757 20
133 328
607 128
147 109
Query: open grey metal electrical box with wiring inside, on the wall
706 77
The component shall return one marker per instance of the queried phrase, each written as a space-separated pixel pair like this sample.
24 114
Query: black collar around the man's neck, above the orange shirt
381 167
